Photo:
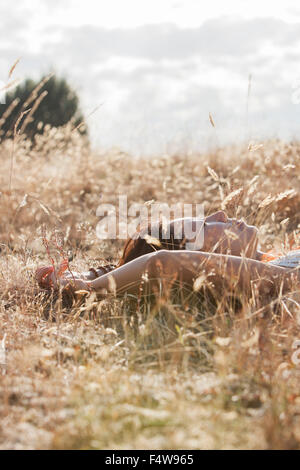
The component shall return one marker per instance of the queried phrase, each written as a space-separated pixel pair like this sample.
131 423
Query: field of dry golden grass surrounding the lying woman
117 374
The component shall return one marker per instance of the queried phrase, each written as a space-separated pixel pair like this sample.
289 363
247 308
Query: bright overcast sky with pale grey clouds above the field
158 68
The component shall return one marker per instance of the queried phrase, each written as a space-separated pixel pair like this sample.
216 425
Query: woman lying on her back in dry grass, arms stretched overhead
229 260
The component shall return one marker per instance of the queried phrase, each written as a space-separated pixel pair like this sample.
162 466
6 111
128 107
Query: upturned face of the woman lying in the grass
229 236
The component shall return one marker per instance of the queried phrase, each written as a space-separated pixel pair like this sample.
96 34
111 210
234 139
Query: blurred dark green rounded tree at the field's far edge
49 101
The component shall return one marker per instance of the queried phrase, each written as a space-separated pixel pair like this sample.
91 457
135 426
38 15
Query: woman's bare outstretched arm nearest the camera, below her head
224 271
